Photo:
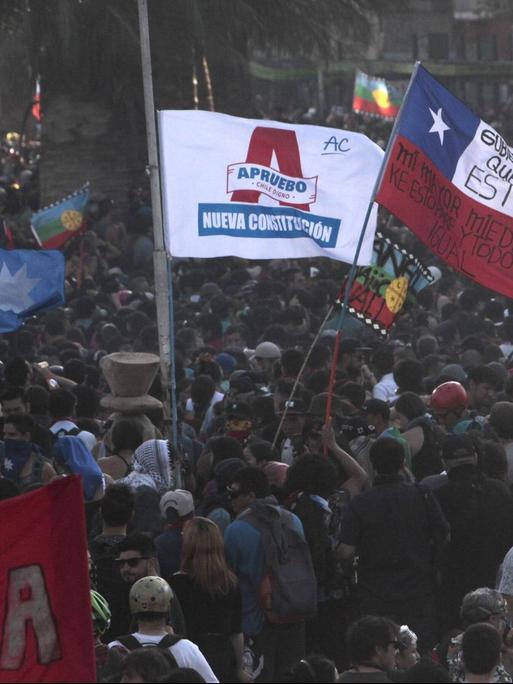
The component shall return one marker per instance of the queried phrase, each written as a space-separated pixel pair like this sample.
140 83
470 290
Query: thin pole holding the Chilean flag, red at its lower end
354 265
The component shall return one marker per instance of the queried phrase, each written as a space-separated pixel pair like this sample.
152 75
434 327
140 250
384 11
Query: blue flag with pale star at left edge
31 282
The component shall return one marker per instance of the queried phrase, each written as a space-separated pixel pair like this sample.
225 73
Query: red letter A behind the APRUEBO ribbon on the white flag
264 141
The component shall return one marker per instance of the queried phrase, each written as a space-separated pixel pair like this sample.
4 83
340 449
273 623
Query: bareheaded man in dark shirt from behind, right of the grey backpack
393 529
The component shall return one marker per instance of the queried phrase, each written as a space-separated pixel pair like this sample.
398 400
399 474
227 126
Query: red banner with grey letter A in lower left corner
45 605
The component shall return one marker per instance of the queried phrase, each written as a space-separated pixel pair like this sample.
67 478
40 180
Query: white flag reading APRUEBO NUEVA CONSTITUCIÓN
261 189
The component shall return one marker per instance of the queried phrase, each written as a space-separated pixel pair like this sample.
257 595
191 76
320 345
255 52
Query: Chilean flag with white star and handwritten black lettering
449 178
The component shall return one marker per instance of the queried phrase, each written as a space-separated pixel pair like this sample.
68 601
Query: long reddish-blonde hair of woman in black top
203 556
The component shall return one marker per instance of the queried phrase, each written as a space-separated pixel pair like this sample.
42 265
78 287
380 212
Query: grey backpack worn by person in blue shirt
288 591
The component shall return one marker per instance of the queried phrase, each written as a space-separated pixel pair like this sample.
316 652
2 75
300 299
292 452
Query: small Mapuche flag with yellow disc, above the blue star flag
57 223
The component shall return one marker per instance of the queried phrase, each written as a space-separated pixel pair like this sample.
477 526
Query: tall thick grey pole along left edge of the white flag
163 276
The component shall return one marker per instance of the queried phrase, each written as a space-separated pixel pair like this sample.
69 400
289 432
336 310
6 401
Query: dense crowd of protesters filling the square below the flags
267 541
